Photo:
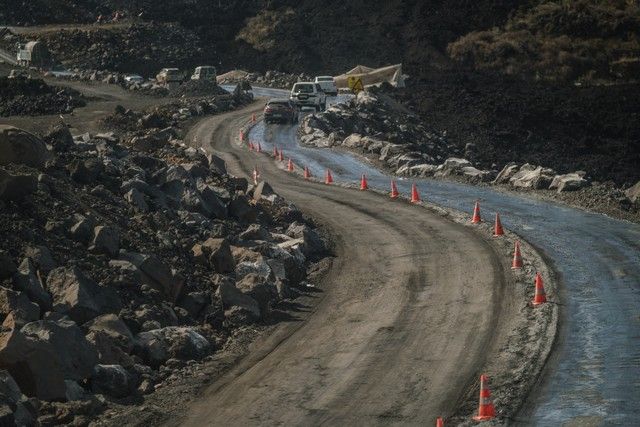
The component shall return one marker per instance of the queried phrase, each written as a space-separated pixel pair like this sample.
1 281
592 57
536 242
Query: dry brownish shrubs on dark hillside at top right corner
558 41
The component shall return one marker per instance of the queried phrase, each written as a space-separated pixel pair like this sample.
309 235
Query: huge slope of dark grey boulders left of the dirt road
123 262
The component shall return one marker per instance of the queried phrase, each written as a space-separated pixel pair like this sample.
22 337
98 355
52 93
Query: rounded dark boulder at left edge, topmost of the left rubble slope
21 147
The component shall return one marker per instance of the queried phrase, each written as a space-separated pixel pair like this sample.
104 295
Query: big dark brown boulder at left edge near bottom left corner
33 363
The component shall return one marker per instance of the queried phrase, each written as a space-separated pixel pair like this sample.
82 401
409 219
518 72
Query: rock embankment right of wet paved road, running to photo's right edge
373 125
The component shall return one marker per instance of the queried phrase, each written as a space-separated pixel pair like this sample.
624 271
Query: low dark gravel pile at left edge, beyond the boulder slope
32 97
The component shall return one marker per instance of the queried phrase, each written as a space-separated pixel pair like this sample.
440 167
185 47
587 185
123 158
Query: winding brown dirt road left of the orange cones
407 316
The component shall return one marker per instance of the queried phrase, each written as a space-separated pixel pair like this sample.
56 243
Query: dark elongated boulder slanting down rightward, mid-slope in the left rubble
158 275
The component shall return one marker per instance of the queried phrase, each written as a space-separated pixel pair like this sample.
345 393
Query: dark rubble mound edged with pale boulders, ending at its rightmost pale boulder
373 125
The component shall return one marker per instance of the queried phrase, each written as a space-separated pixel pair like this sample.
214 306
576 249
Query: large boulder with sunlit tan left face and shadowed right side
79 297
